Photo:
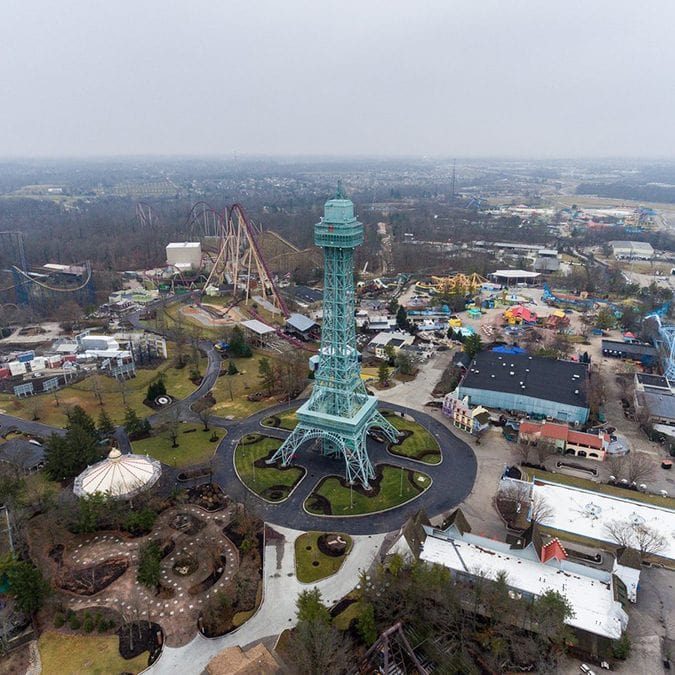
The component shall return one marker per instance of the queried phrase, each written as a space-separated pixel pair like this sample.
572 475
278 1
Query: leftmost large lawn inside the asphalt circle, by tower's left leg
270 482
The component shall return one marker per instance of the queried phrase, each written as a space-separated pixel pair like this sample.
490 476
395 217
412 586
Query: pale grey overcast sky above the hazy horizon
288 77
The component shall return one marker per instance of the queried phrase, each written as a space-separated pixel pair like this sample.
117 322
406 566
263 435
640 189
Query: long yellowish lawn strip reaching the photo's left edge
83 393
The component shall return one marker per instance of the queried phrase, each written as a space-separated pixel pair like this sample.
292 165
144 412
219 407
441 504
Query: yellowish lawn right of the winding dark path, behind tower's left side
230 391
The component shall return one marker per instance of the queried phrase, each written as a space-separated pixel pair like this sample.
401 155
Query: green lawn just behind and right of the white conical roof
193 447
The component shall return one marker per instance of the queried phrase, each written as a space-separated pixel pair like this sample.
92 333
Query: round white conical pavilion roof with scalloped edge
118 475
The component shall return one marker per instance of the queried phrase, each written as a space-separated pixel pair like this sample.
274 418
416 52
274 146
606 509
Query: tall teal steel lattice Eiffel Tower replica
339 412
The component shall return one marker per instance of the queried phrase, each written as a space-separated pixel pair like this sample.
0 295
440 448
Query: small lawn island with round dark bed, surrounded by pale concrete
319 555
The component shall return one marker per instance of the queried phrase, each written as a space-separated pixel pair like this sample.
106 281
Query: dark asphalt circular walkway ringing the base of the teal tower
452 479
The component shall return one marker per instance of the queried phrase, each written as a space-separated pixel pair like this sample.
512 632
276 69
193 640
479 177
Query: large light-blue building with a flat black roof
528 384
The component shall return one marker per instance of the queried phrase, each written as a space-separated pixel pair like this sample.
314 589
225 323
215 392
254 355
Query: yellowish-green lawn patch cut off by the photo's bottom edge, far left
77 654
